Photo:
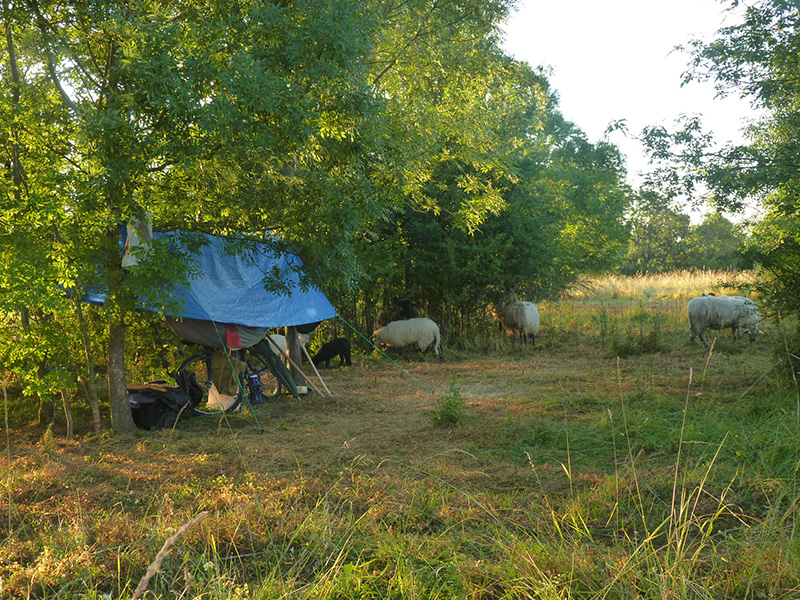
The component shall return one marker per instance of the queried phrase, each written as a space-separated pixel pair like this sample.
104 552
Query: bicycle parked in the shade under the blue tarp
257 377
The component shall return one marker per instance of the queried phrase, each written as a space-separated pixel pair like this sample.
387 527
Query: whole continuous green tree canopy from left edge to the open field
392 144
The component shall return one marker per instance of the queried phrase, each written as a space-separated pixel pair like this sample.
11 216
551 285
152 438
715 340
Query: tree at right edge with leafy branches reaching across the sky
758 58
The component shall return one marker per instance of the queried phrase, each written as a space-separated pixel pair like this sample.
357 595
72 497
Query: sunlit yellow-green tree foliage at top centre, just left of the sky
448 88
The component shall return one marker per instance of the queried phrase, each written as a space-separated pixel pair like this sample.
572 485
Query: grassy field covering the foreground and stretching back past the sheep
613 460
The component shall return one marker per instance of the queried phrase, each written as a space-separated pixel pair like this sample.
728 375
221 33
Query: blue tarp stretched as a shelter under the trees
230 289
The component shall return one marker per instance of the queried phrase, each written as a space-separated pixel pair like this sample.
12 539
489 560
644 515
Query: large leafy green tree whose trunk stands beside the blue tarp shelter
214 116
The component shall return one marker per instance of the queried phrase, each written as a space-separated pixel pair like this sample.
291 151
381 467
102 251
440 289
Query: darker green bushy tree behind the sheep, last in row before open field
559 213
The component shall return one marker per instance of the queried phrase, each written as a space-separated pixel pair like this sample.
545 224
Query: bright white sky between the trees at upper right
614 59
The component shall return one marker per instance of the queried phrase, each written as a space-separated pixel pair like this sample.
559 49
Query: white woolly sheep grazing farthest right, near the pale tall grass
720 312
